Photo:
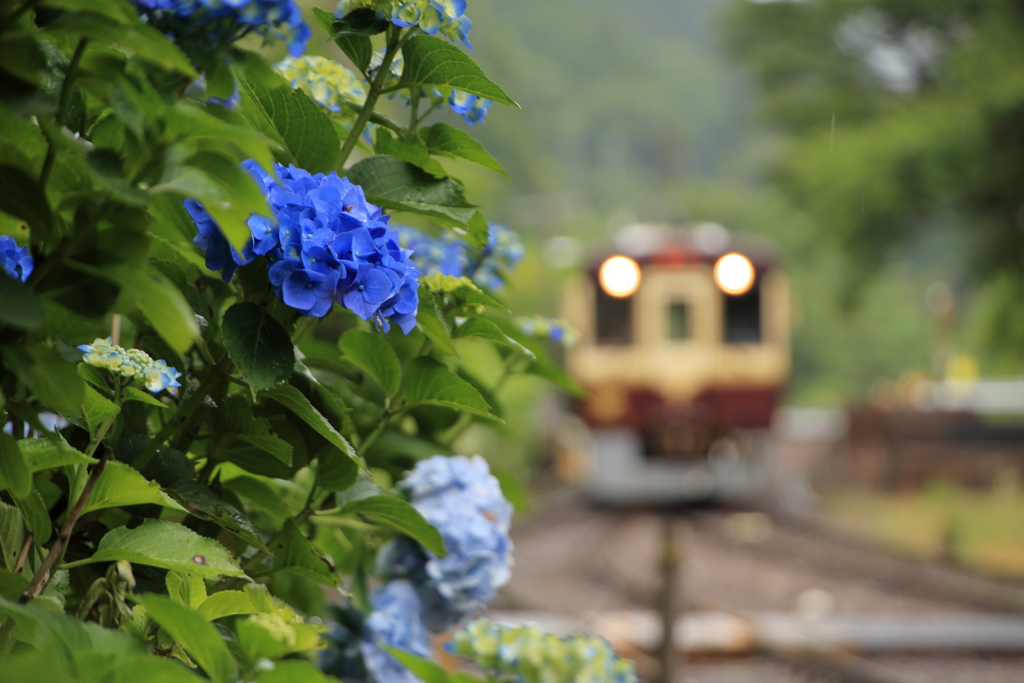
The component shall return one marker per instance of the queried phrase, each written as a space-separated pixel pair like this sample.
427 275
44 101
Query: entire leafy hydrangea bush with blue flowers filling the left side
218 351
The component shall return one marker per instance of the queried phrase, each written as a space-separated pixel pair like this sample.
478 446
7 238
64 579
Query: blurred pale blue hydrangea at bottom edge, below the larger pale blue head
395 622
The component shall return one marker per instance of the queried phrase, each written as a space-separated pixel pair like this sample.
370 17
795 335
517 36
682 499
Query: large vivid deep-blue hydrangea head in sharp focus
325 245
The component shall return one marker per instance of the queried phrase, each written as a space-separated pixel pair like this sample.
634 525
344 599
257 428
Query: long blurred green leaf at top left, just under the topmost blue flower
140 38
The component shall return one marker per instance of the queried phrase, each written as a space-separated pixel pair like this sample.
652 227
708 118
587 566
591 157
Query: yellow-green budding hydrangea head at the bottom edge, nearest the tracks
528 655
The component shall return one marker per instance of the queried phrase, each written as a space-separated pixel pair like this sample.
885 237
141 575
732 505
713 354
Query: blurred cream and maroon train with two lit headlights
685 352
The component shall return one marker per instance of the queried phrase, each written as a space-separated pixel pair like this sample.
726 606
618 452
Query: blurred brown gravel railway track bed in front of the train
583 565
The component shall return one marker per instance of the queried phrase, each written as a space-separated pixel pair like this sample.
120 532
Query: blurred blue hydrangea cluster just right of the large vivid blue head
451 255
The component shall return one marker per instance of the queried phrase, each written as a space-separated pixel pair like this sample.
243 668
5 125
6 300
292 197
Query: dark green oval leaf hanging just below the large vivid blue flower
259 346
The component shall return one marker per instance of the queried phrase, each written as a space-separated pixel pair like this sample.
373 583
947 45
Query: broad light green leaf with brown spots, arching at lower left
163 544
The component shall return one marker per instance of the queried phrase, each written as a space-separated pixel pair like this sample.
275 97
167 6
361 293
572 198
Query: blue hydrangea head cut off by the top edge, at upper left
224 22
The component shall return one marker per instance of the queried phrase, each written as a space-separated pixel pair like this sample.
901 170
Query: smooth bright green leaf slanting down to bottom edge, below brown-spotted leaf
197 635
